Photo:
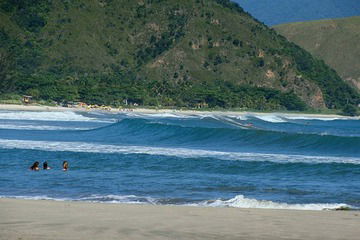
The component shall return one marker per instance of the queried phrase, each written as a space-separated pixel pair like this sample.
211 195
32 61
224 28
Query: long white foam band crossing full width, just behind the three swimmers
164 151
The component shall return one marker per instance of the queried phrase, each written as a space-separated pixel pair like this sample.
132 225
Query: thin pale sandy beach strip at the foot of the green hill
42 108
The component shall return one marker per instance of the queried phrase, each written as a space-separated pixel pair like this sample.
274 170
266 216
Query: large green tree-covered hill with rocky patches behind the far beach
158 52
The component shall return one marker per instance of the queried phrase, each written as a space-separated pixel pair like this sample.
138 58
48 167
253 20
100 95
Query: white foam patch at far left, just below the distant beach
45 116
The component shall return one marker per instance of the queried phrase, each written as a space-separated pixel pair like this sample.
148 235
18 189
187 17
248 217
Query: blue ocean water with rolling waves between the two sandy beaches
254 160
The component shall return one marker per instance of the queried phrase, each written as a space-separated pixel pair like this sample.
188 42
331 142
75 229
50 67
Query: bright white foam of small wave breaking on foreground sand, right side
242 202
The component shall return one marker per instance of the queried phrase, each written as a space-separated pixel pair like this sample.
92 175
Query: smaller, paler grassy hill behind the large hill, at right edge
336 41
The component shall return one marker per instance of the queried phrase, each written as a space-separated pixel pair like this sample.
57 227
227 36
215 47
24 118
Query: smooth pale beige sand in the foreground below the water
30 220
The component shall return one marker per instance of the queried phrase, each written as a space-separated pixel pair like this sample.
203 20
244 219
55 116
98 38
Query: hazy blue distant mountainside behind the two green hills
289 11
